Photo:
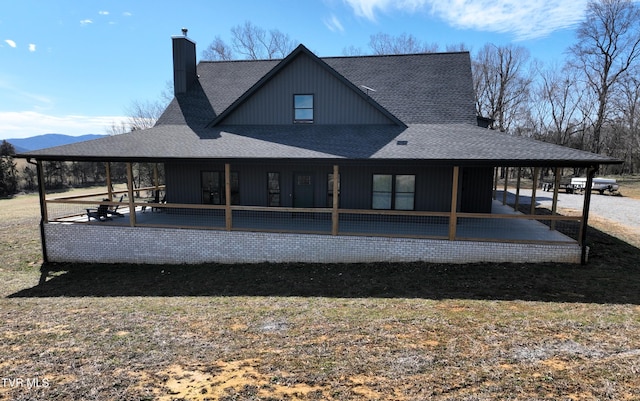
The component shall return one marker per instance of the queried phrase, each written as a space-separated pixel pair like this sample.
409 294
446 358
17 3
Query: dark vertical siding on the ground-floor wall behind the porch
433 184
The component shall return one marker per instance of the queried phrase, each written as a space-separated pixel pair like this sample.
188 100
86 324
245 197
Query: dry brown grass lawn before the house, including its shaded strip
410 331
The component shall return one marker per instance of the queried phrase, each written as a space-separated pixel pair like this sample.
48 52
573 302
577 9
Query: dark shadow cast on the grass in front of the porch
612 276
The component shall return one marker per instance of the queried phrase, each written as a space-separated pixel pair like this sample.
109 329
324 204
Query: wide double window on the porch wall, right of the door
393 191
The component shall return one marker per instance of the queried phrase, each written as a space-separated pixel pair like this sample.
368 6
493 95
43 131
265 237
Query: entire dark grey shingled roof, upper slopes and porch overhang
430 96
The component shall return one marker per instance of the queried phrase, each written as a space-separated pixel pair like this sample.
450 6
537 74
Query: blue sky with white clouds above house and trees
74 66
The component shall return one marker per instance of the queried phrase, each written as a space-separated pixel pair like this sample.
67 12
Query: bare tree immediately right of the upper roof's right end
501 83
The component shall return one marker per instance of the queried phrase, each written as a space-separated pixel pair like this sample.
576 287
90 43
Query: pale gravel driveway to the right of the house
620 209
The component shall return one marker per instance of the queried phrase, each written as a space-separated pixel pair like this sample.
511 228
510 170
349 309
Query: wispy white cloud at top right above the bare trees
523 19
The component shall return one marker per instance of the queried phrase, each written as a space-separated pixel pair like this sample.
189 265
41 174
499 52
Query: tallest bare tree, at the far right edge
608 45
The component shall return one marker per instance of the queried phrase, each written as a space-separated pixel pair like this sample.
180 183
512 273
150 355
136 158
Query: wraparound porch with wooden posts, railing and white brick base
500 232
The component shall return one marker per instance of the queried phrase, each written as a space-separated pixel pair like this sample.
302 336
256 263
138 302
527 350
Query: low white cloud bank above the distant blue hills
25 124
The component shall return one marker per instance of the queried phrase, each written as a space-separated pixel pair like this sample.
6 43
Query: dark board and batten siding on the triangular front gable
334 101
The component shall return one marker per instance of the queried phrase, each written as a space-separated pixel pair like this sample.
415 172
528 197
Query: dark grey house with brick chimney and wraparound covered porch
338 159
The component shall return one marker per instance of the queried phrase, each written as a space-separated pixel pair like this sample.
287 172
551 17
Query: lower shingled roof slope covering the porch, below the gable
428 143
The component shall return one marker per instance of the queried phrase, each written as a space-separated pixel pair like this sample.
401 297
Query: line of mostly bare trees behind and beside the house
589 101
